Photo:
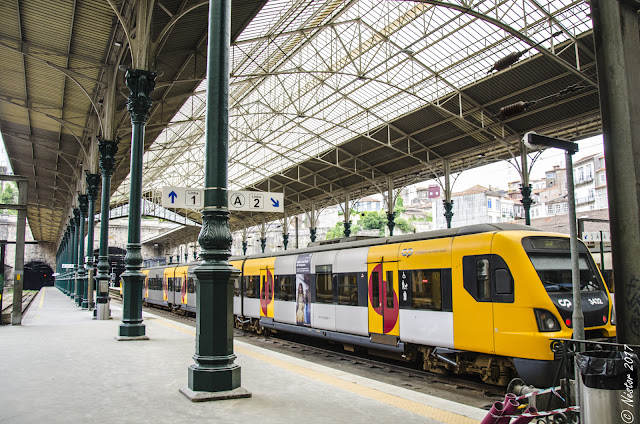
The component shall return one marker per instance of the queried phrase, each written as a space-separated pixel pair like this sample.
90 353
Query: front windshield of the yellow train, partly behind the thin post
553 266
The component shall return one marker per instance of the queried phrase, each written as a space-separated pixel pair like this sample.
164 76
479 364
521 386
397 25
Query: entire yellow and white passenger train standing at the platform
482 299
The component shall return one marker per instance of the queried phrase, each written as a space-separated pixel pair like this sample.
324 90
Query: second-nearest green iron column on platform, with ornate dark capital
140 84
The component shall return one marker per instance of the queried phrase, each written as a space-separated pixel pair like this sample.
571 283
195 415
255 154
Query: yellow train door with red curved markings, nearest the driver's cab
383 294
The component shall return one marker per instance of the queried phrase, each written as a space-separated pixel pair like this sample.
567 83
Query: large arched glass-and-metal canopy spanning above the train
345 96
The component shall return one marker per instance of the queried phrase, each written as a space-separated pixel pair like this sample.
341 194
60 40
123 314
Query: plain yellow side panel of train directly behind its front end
472 309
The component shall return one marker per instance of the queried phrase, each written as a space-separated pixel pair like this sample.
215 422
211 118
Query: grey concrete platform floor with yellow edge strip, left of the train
61 366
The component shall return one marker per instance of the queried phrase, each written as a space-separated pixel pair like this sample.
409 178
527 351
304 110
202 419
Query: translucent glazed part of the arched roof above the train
308 76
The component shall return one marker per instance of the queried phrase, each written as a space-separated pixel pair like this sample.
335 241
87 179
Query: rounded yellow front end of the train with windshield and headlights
542 300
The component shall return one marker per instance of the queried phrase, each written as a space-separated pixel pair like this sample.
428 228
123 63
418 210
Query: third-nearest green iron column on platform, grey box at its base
108 150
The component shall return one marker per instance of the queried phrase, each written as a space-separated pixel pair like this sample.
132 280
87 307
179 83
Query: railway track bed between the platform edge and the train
455 388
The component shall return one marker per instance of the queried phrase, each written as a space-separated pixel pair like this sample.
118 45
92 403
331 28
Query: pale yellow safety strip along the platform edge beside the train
389 399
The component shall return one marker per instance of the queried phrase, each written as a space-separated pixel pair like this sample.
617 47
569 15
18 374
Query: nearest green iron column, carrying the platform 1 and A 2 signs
214 374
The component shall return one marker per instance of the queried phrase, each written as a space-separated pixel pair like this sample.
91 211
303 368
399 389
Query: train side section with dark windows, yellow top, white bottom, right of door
426 316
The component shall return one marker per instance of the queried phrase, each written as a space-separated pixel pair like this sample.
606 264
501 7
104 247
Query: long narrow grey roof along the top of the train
352 242
